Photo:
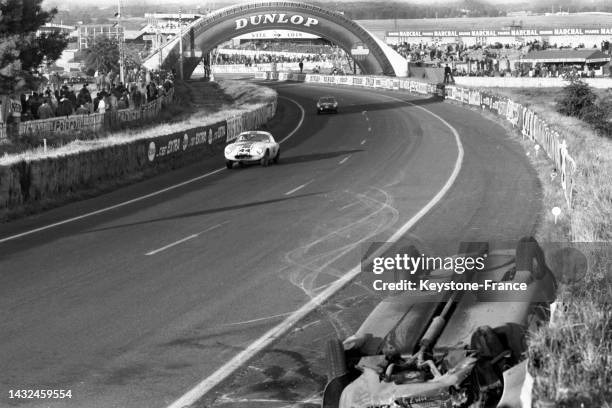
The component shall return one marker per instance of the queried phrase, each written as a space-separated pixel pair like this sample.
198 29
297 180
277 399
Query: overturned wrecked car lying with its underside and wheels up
451 349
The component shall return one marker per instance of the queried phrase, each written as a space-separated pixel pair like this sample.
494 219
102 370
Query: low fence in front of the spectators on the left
95 122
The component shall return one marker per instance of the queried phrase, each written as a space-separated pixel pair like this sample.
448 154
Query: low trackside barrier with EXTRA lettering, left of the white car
48 178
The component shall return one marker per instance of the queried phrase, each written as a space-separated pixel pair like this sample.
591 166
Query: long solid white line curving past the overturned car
273 334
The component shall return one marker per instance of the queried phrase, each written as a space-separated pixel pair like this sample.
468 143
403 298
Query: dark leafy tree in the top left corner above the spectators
22 50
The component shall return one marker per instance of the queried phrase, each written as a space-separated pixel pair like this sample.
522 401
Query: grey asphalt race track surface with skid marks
82 307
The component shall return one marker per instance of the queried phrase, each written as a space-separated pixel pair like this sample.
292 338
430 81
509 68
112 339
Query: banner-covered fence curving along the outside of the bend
521 117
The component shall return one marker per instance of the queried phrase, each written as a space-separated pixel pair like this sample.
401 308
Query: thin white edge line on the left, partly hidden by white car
144 197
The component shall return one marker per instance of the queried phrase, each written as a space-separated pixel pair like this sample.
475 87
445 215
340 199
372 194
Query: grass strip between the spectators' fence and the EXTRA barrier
220 101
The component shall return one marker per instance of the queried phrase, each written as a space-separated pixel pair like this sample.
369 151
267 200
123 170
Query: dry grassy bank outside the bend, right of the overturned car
571 360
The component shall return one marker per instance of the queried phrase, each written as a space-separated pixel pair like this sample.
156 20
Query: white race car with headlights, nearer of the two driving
252 147
